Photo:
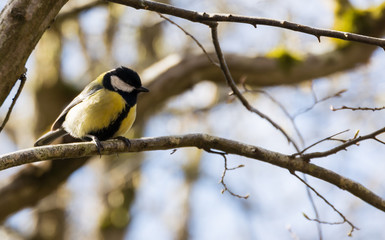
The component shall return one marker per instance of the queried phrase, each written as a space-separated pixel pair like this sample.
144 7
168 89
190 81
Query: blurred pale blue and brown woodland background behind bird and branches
176 195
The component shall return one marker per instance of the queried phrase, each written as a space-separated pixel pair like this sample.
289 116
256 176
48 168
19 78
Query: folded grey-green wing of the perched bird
89 90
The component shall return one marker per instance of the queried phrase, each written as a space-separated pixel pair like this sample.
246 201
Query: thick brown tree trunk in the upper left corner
22 23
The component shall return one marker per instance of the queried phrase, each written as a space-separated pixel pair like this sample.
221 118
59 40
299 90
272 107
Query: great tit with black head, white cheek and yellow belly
105 109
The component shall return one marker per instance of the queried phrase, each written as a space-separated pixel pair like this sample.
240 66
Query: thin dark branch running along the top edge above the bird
207 18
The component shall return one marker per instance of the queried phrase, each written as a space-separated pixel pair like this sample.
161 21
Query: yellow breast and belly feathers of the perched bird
97 113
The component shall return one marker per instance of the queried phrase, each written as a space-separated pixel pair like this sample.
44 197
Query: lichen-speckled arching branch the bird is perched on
202 141
